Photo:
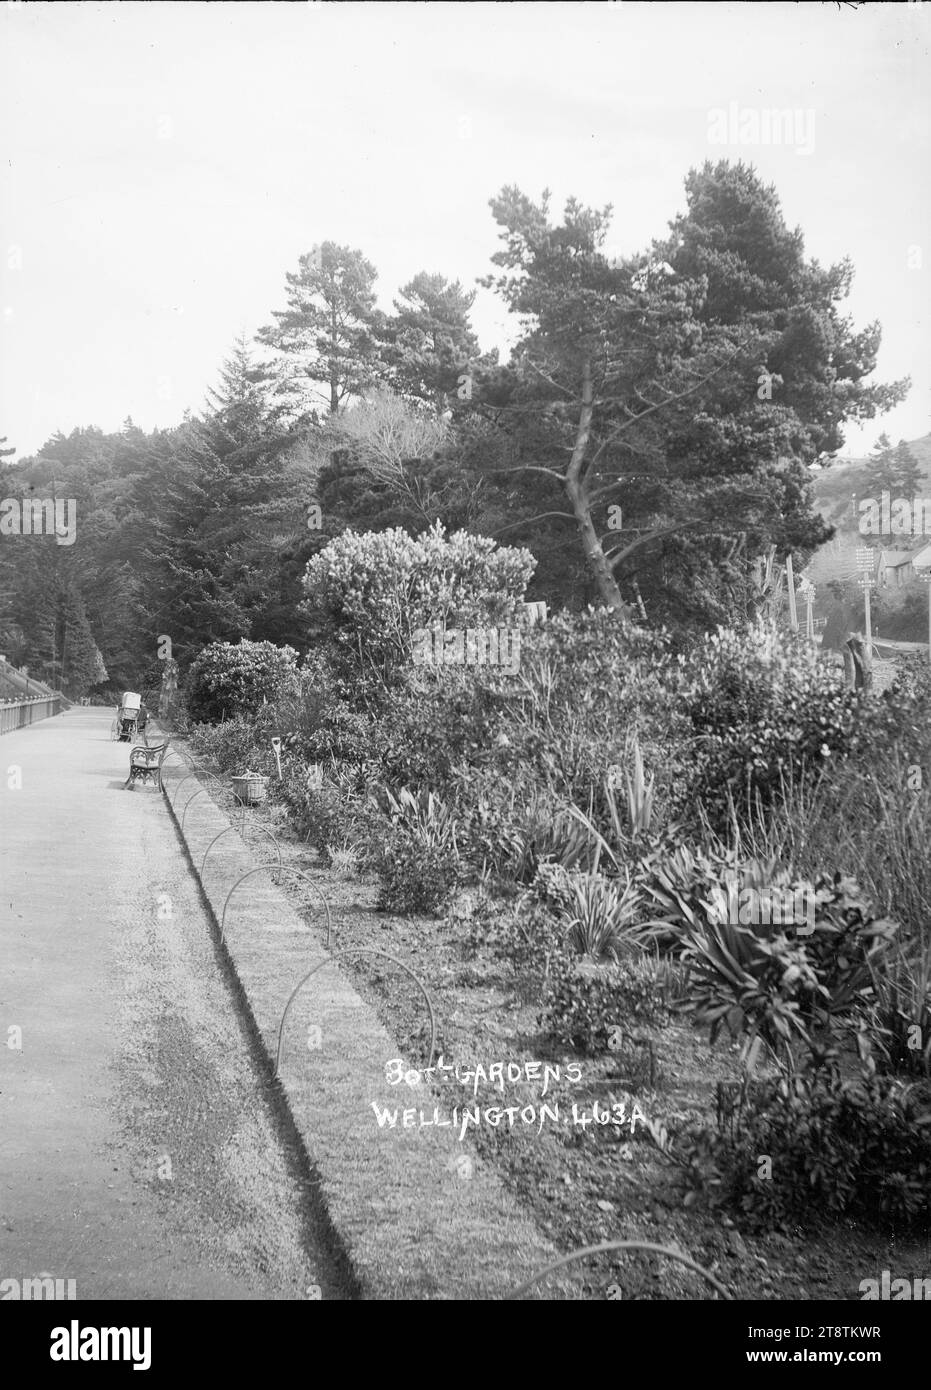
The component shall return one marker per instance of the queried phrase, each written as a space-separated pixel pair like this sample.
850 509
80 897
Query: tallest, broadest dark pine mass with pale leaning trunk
673 400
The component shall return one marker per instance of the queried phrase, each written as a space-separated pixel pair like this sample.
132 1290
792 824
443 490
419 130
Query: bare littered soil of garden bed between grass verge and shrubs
583 1184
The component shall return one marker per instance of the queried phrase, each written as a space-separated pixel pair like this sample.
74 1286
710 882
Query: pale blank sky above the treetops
163 166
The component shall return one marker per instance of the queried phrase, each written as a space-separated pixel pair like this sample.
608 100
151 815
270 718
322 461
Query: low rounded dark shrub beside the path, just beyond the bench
227 680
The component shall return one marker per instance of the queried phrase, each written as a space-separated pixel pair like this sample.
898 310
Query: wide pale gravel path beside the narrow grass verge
140 1150
